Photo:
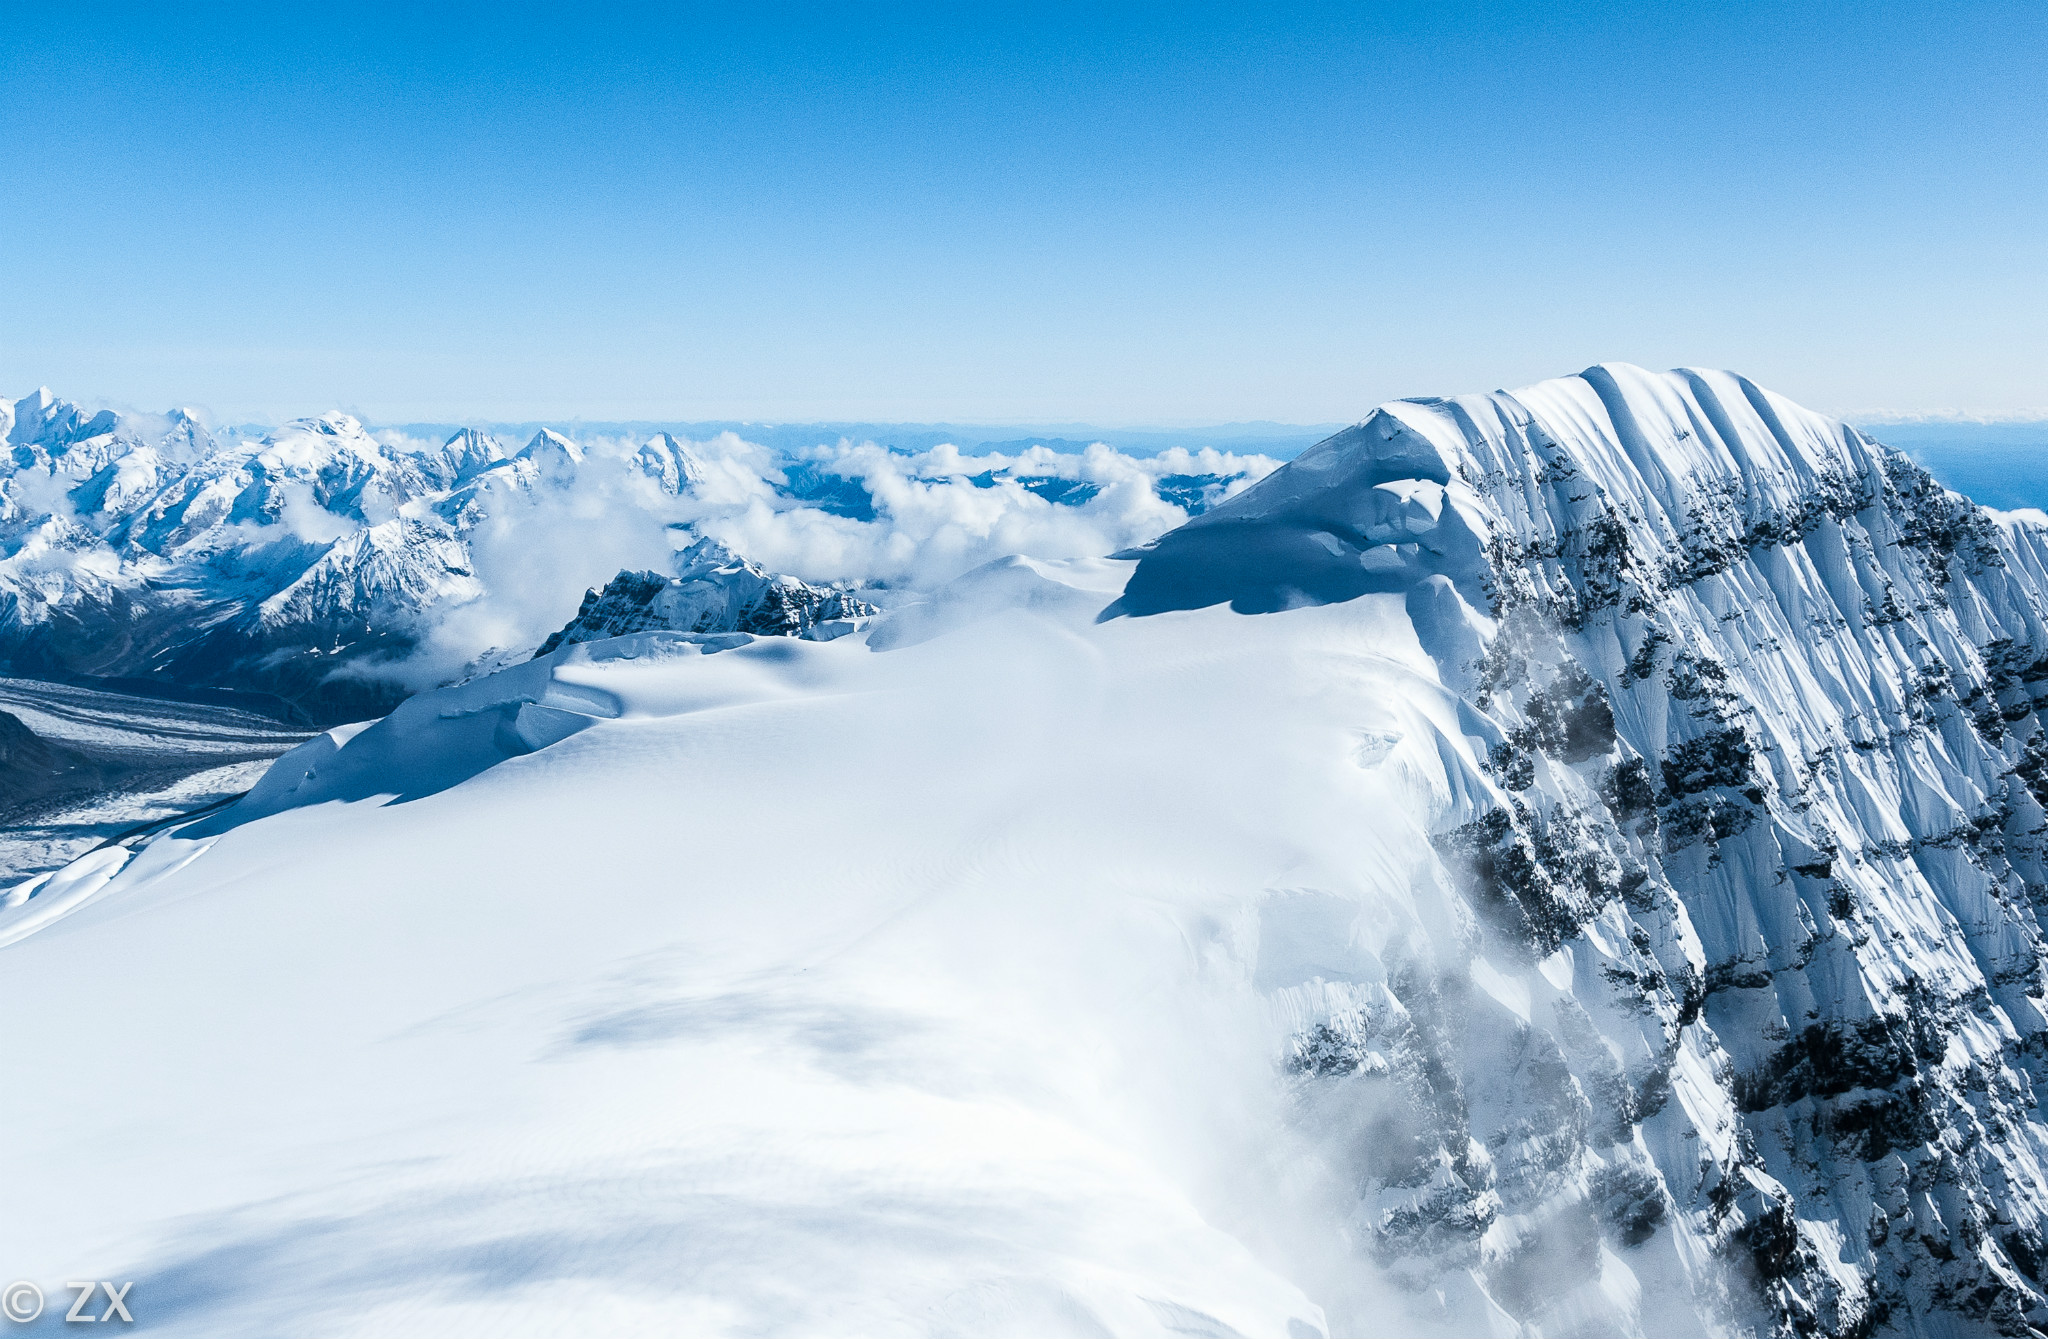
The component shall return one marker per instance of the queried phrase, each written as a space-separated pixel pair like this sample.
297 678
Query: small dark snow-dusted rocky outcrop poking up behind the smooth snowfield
714 591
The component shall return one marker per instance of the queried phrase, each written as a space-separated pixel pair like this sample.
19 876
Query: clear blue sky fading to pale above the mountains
1119 216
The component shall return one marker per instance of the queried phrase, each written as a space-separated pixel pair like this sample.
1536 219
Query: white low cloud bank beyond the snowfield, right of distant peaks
855 515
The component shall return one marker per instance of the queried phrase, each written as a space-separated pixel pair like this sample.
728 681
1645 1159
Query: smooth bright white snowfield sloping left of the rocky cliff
816 992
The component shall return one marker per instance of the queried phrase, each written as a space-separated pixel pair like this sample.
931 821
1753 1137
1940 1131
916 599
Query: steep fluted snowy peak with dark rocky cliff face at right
1750 1010
